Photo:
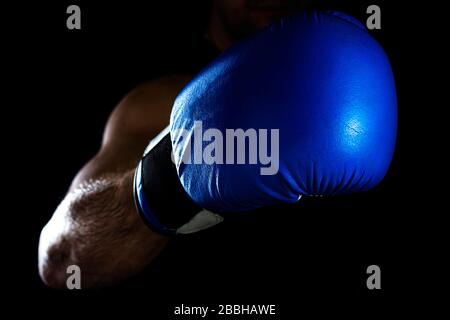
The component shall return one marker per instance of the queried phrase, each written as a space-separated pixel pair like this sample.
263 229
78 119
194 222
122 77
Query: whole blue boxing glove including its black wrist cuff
306 107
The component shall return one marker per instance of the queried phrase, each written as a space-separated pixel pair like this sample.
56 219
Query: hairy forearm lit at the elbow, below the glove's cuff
97 228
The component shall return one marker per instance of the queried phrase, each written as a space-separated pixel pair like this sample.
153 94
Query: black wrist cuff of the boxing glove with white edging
159 196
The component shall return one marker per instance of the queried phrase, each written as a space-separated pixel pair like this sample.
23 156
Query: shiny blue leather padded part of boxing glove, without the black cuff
324 82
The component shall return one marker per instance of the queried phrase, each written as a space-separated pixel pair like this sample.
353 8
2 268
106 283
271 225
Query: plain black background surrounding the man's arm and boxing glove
311 255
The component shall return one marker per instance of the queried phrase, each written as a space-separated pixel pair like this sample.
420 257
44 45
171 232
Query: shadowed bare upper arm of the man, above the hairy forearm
137 119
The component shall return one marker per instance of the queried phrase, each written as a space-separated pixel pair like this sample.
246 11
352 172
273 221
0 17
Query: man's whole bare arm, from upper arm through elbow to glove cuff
96 226
